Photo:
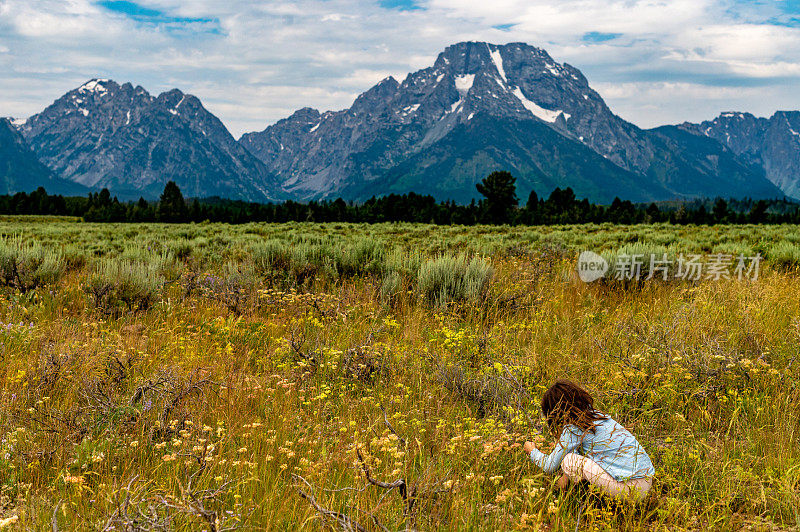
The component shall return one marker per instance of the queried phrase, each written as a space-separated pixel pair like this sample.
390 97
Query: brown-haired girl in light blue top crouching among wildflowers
592 446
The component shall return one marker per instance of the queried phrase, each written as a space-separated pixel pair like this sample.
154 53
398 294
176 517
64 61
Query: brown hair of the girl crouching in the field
566 403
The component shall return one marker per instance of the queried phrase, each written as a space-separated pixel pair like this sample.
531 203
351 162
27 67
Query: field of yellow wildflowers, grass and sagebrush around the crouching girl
348 377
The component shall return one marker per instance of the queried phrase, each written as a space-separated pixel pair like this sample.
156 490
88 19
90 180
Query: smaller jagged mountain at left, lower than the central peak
103 134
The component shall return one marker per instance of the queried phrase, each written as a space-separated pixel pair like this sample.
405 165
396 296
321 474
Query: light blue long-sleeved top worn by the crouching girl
612 446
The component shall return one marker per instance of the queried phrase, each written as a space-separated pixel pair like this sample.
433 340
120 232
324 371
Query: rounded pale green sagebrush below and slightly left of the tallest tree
450 279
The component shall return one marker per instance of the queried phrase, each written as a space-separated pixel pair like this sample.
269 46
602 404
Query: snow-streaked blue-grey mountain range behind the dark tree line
480 107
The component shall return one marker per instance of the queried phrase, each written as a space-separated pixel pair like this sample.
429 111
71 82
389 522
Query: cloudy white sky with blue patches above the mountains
253 62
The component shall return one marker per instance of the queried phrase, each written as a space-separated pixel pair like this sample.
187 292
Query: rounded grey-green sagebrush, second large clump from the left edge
119 286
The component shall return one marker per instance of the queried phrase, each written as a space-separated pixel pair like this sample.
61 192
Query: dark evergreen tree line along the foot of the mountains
499 205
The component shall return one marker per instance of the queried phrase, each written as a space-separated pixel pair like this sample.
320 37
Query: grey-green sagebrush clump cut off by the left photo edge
28 266
